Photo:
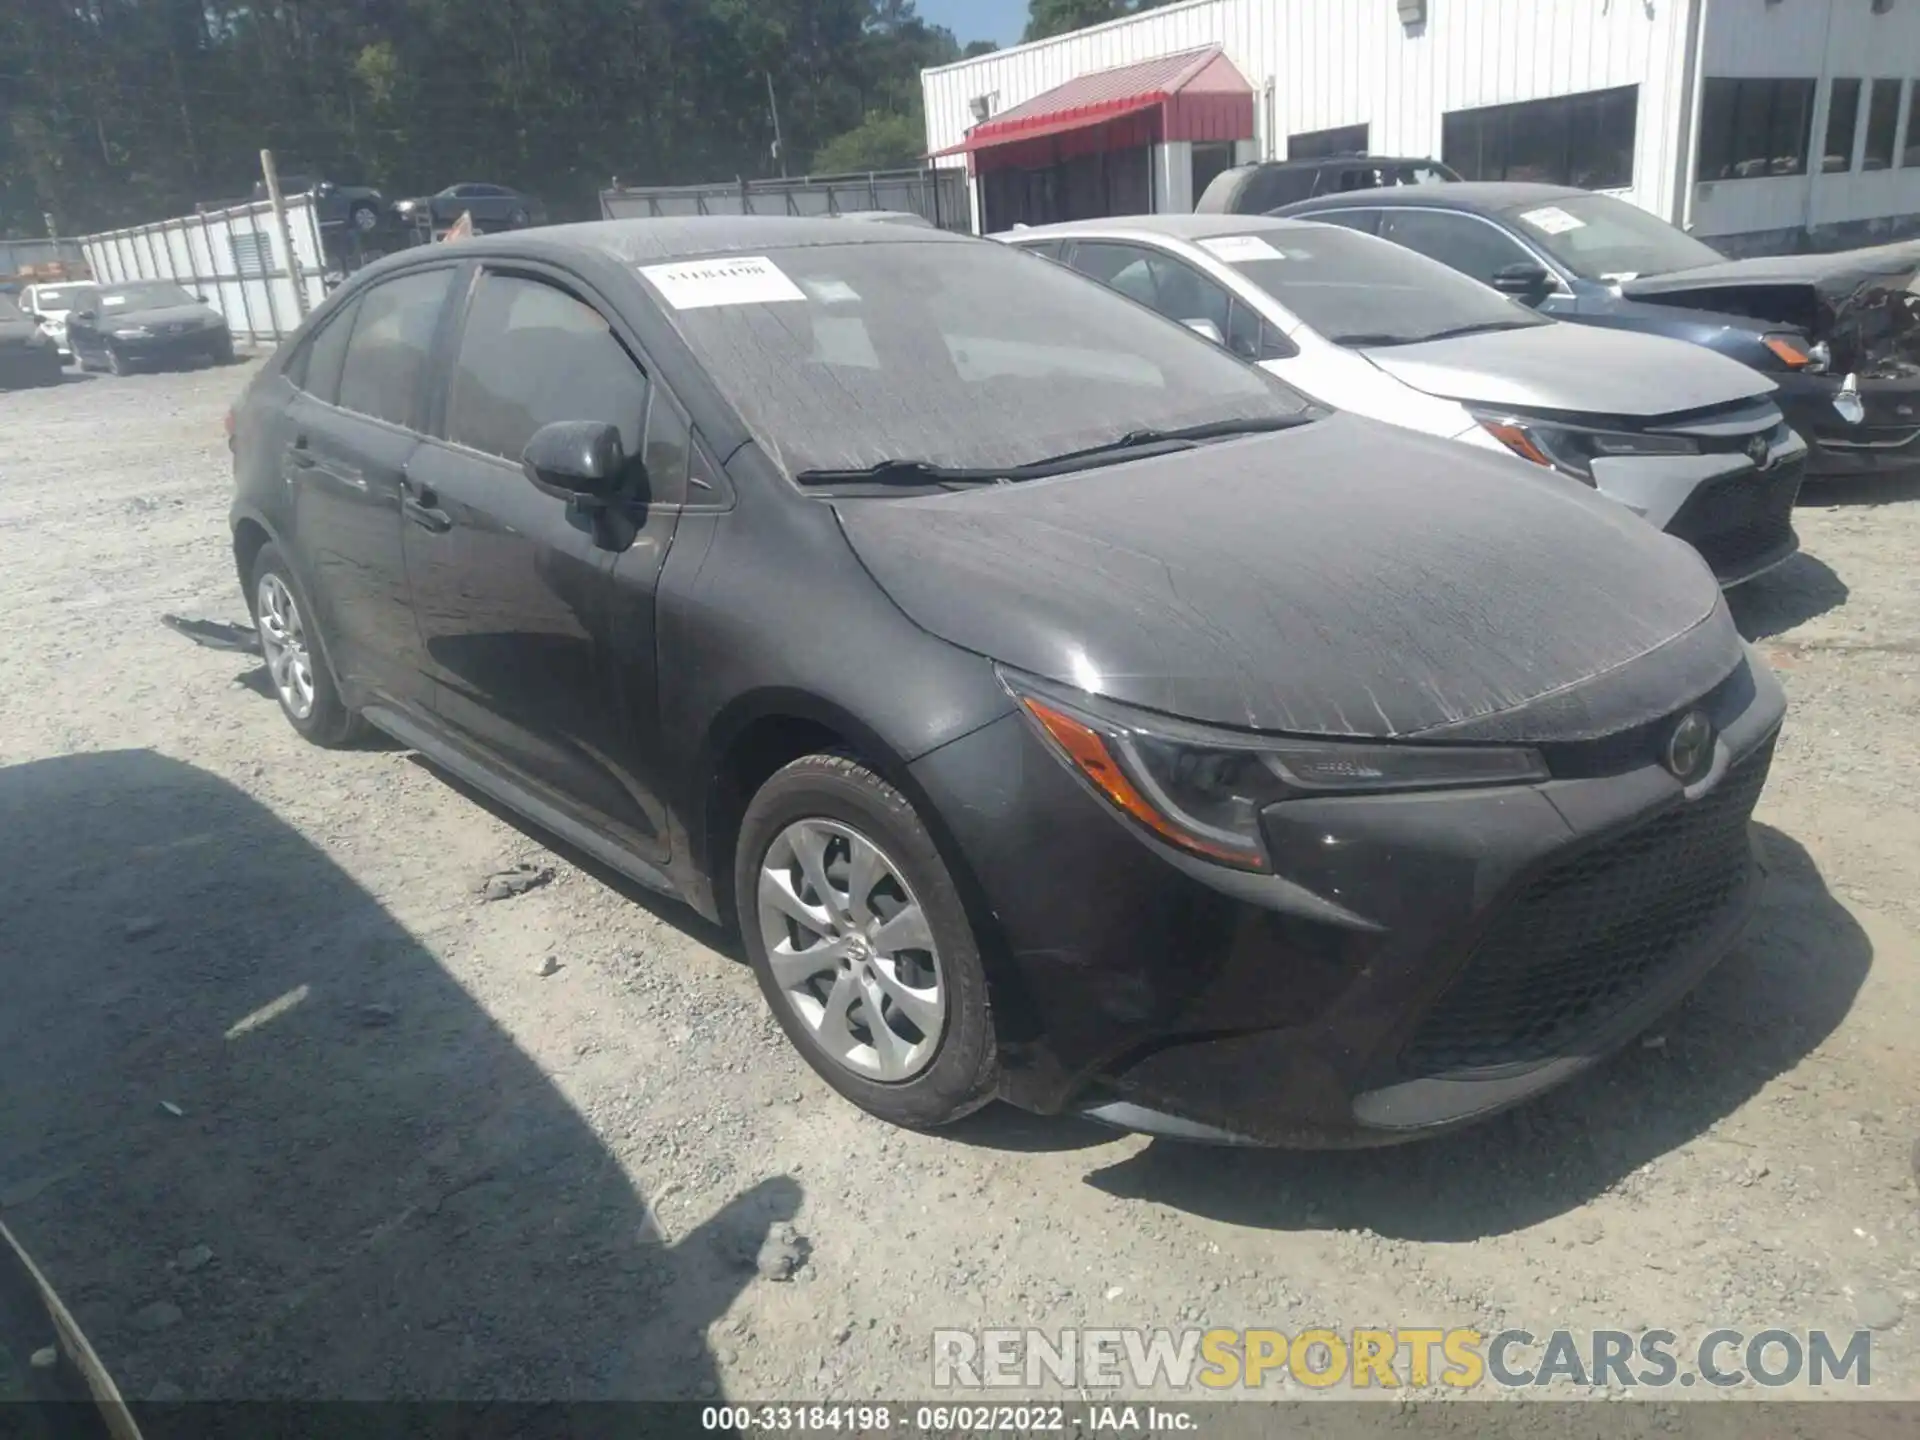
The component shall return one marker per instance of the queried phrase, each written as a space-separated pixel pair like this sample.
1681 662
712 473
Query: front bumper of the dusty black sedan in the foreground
1416 963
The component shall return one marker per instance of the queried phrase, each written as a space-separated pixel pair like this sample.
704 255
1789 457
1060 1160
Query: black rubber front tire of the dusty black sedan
934 1080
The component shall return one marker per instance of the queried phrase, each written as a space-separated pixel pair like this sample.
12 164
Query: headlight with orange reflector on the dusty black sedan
1203 790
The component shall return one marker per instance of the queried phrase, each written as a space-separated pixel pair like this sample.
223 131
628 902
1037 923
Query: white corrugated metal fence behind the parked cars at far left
231 256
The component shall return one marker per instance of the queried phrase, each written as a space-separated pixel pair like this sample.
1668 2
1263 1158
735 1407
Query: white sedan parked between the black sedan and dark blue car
1685 439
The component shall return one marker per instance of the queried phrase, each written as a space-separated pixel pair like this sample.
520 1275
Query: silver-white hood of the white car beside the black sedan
1573 368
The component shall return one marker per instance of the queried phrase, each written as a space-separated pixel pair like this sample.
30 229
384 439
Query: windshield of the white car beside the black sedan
1358 291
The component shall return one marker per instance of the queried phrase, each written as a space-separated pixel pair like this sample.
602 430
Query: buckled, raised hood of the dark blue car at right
1863 302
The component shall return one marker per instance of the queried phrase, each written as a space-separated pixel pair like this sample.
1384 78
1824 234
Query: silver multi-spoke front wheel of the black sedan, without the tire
852 949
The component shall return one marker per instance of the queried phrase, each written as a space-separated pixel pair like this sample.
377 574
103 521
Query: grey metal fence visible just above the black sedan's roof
936 195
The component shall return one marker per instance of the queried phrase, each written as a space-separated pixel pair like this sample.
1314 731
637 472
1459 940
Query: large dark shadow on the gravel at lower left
268 1147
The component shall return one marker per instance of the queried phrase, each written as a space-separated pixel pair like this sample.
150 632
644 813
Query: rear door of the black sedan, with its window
352 433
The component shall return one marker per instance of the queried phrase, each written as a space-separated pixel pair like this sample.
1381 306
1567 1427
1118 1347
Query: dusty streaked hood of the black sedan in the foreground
1345 579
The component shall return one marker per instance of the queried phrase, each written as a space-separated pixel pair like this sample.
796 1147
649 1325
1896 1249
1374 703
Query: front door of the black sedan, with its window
535 661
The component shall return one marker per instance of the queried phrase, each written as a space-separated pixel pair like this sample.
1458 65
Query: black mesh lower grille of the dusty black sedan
1595 934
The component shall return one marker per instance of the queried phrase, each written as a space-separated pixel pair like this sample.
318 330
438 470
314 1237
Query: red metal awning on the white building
1199 95
